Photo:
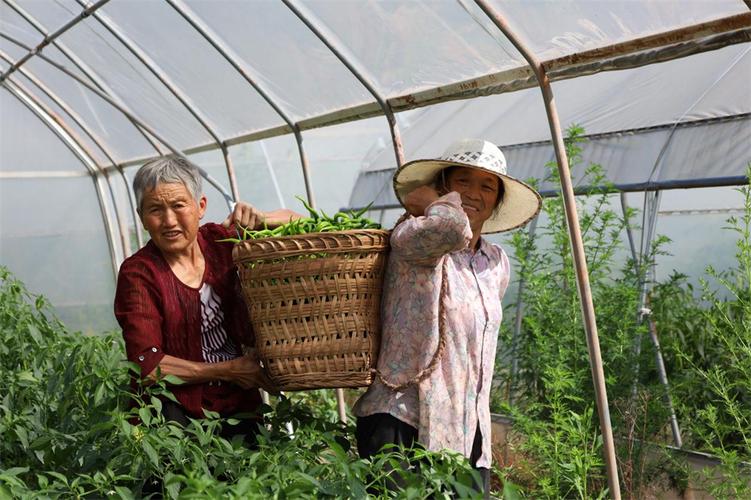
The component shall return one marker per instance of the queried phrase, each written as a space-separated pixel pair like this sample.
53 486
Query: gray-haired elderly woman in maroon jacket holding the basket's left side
178 300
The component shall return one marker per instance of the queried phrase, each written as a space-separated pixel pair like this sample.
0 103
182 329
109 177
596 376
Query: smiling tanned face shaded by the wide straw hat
479 191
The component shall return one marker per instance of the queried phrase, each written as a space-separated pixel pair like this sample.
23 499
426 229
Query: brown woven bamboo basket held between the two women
314 303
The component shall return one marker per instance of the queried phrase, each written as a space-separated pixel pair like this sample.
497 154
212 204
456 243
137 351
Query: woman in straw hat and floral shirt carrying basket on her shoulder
442 304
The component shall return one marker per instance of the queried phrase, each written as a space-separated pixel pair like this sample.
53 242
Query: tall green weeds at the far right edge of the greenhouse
709 349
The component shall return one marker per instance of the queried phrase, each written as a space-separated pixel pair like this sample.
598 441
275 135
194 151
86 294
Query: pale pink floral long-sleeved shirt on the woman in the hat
447 406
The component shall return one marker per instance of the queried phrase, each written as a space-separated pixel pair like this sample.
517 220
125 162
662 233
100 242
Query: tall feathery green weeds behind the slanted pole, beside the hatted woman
552 392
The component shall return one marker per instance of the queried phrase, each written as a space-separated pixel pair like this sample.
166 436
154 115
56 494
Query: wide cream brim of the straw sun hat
521 203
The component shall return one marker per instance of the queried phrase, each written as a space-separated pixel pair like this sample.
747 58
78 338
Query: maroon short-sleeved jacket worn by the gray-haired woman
161 315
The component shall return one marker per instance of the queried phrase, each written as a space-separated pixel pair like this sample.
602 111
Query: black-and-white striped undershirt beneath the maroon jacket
215 343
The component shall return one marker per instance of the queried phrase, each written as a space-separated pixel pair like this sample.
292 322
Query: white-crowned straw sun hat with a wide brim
520 202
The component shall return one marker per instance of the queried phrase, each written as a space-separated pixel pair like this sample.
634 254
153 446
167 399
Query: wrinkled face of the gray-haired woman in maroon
172 216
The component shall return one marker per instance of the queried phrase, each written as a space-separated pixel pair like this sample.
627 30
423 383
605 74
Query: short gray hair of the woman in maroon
167 169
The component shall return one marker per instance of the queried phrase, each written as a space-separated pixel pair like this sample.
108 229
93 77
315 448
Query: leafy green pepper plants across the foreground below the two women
68 431
